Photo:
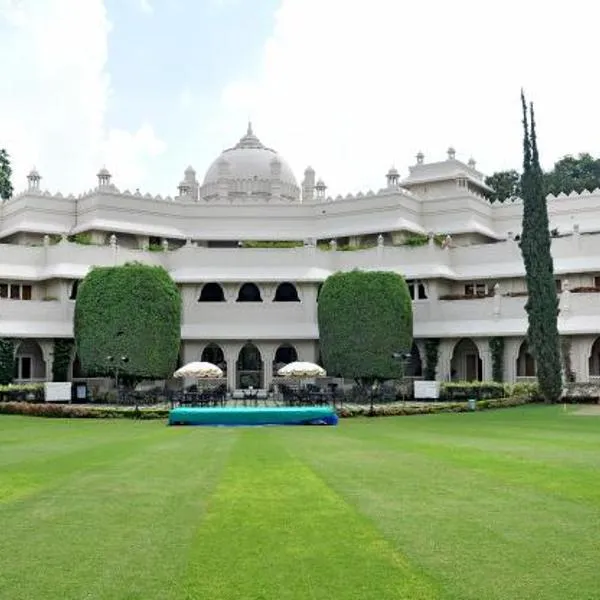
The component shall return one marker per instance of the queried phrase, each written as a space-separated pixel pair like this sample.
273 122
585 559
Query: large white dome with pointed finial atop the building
250 169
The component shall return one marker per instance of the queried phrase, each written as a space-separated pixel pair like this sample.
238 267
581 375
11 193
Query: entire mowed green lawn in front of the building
494 505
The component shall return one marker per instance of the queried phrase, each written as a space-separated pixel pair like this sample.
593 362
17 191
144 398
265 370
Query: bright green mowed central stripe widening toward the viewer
274 529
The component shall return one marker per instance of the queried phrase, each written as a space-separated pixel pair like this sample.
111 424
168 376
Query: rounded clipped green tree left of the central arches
130 312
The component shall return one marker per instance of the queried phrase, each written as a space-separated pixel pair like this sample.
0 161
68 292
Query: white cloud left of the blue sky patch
54 92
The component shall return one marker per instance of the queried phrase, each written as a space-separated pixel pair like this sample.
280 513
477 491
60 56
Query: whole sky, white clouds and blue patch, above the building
148 87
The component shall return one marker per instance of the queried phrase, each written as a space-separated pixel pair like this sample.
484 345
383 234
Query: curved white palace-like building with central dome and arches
254 307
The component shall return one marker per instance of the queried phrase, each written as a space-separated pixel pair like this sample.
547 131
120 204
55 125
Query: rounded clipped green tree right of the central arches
364 318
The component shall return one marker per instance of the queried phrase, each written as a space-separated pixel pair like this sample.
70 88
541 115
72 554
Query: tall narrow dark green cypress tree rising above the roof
542 302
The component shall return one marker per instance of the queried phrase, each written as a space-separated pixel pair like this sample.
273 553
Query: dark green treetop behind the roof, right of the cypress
573 174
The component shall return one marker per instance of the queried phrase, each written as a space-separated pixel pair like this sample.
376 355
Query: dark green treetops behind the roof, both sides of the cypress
567 175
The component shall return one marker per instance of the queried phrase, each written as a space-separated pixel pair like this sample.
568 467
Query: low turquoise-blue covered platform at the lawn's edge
264 415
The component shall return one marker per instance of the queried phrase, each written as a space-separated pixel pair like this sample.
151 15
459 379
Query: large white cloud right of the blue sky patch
352 87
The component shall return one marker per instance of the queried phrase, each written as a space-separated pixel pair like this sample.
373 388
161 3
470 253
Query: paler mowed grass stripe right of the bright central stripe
482 529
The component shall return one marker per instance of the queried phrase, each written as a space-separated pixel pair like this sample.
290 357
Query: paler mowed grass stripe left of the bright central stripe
120 530
